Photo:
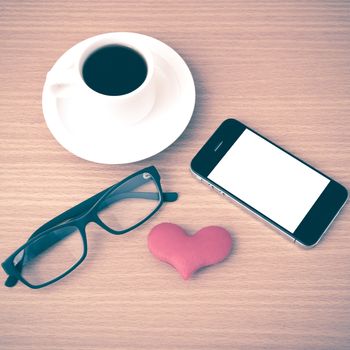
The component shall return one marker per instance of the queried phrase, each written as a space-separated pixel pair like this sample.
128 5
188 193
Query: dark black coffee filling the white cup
114 70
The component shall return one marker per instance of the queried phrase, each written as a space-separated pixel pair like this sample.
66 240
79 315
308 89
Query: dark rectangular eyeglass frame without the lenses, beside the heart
80 216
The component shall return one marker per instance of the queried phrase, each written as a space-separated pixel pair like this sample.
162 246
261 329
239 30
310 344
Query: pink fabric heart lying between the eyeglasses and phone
170 243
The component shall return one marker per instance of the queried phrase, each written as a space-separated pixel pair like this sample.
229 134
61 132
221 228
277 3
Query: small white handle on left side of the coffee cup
61 83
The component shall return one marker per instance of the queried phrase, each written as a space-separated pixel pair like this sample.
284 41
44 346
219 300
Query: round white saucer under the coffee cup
171 113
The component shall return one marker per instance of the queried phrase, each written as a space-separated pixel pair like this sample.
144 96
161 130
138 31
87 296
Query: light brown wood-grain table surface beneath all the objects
282 67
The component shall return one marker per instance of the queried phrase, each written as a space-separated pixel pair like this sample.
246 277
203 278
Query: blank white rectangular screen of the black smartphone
269 180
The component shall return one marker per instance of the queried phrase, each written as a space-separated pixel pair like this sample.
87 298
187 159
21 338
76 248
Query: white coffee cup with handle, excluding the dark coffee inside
93 108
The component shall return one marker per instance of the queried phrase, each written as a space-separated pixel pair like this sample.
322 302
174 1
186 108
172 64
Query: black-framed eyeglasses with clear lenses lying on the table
59 246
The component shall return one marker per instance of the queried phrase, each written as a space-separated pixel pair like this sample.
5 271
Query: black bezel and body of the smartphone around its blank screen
319 217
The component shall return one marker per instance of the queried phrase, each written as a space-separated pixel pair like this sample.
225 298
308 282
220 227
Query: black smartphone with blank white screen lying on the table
293 196
